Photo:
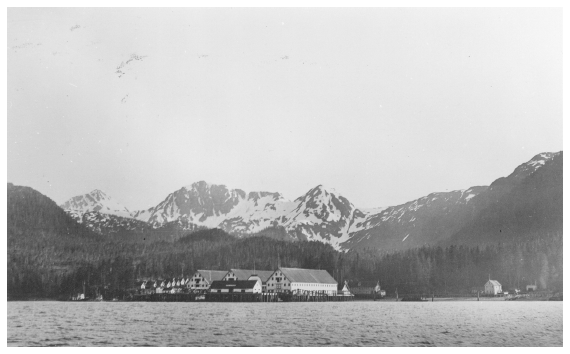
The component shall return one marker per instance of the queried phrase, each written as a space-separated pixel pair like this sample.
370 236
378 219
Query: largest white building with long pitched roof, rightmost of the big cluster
304 281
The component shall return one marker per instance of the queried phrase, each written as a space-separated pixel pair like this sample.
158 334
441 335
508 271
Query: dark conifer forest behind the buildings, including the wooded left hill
52 256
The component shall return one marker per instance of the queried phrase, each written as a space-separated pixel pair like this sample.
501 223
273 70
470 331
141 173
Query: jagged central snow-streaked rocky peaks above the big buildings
320 214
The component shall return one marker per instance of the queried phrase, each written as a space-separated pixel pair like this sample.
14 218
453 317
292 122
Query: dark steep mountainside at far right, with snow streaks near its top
523 205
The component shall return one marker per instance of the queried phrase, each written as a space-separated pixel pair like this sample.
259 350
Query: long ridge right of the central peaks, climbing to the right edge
465 216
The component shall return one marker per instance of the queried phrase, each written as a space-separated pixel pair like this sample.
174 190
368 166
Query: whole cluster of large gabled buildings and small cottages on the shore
281 280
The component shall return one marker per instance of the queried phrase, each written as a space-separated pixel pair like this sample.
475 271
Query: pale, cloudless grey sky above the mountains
385 105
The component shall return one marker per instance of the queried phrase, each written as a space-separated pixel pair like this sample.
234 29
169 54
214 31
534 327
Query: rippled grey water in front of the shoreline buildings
501 323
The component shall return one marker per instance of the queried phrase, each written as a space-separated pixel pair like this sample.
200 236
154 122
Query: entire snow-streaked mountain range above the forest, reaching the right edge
525 203
